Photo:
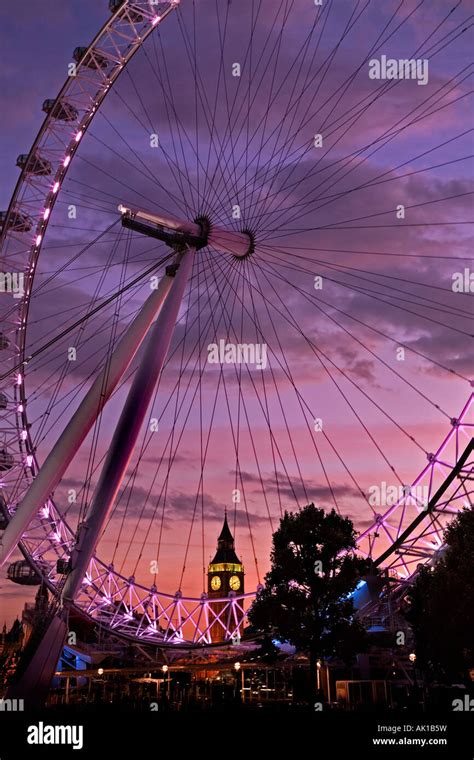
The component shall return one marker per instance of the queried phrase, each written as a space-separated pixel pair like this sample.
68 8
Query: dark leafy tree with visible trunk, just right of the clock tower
305 600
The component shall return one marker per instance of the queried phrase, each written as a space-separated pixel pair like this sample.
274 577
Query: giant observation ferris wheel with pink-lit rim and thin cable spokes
229 265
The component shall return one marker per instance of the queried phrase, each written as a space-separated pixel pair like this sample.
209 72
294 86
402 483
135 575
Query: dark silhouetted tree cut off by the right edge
441 606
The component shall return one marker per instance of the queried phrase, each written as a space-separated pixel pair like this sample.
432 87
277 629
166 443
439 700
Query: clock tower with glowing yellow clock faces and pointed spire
225 574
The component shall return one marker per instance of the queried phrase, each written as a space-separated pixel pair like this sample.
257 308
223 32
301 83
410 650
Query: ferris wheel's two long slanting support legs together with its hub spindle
185 238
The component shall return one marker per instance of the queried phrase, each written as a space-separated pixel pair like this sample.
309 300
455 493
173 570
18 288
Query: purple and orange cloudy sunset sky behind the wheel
329 212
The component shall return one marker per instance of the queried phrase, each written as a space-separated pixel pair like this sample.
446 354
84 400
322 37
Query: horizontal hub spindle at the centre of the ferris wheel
195 234
